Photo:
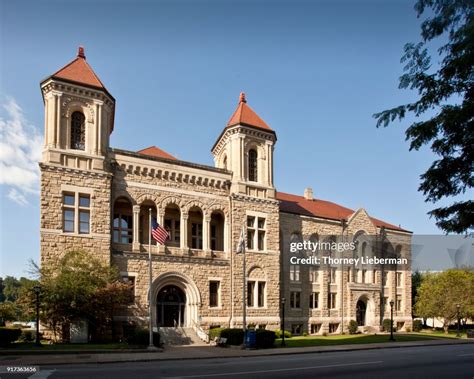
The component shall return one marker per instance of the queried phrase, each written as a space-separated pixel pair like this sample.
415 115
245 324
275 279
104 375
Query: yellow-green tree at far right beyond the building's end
440 293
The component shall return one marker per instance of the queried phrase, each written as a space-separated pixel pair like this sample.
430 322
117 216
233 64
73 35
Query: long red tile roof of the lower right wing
320 208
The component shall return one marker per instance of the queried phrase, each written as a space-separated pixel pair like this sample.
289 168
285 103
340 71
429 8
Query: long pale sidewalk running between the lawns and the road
190 352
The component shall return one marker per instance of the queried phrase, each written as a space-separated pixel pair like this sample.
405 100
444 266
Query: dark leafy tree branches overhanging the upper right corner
449 92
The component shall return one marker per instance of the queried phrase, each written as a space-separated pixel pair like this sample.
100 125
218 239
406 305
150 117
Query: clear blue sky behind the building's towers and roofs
315 71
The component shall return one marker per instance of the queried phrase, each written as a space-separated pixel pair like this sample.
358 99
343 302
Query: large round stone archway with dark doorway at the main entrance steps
177 297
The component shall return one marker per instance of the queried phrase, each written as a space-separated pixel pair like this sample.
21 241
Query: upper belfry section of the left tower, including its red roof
79 116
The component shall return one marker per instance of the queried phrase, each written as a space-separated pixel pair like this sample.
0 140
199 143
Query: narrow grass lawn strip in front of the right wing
351 339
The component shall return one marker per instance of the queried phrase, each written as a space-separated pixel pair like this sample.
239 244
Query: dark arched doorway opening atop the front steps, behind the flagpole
170 306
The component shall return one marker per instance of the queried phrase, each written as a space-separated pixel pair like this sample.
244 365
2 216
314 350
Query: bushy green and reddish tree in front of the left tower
78 286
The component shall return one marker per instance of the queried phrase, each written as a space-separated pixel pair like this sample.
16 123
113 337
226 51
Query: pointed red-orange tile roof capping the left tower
79 71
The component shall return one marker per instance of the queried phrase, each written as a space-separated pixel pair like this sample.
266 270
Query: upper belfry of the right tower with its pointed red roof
245 147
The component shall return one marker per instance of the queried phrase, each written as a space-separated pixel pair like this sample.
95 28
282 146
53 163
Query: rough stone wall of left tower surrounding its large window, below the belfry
54 242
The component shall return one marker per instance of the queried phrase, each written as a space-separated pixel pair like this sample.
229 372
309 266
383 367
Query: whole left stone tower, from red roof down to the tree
75 177
